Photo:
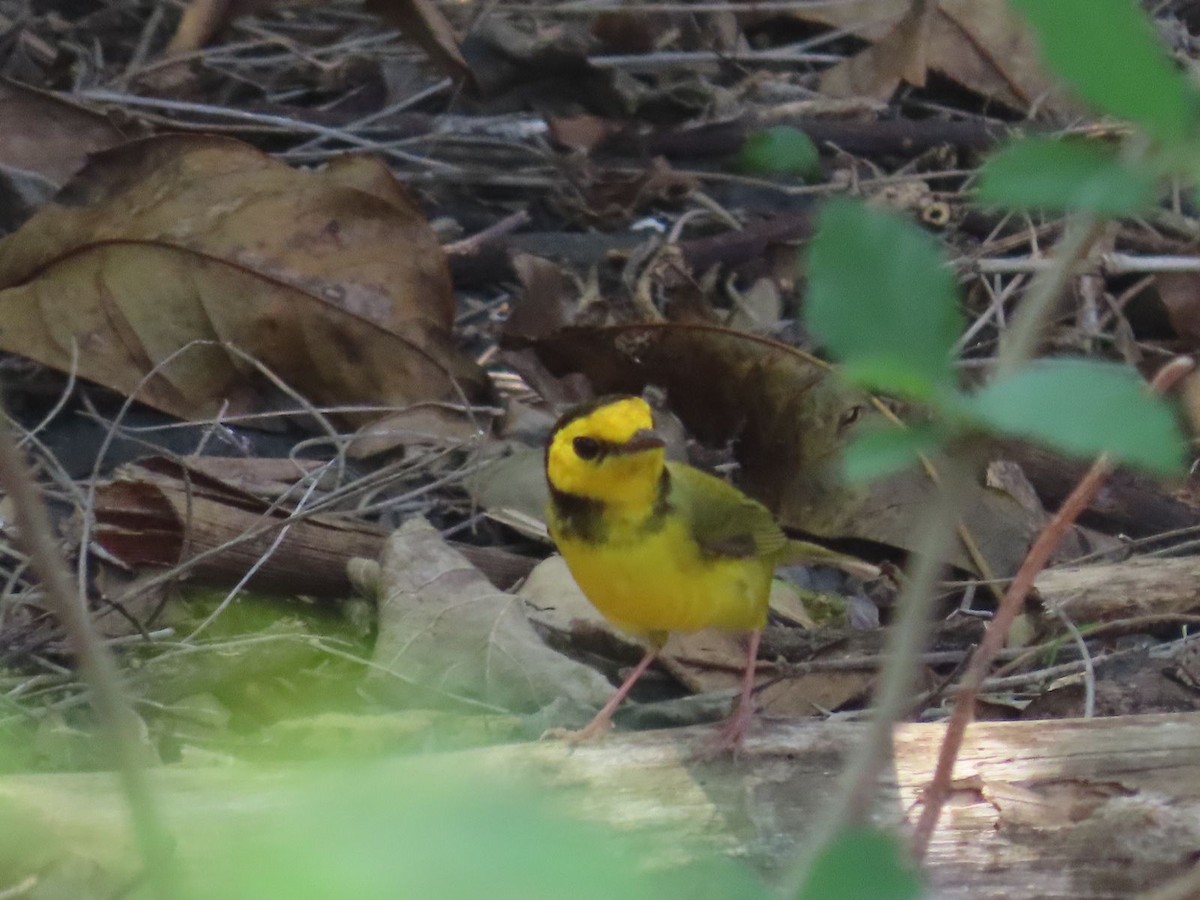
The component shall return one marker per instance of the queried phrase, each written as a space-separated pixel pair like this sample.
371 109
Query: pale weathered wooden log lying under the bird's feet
1045 809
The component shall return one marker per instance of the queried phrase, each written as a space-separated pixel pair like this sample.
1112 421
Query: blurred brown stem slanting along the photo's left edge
113 712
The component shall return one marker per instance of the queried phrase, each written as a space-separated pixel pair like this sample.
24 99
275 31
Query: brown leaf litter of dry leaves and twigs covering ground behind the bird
217 280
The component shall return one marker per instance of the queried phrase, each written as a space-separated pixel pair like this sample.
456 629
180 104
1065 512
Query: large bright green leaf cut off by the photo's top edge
1107 50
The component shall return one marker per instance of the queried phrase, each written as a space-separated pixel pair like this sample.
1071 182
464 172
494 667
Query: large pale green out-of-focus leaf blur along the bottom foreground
443 833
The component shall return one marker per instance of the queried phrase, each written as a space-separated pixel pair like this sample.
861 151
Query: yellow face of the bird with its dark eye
607 452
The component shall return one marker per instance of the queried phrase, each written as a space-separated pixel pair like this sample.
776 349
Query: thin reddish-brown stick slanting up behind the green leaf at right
1010 608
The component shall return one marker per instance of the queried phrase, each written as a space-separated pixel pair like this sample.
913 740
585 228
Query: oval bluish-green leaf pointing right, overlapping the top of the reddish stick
1084 409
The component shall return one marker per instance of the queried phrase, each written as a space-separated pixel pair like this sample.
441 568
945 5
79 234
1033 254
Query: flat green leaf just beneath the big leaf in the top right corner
1055 176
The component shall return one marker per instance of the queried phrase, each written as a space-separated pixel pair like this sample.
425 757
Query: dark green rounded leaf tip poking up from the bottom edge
862 863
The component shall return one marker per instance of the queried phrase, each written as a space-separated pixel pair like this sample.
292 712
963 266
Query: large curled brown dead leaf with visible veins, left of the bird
332 280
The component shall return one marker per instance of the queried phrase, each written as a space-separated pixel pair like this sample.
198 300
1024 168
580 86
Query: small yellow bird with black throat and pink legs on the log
659 547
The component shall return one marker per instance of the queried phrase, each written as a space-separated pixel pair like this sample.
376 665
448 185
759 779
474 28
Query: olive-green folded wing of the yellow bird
723 520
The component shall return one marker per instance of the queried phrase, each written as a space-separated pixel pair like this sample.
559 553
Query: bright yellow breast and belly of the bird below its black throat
655 581
